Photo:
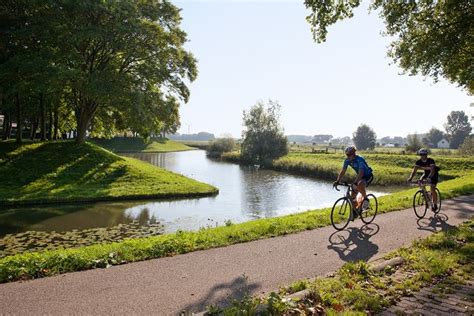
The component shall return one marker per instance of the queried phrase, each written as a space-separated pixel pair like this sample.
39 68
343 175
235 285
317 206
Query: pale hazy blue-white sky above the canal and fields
250 51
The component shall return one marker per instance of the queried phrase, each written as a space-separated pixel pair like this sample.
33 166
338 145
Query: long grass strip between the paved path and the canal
41 264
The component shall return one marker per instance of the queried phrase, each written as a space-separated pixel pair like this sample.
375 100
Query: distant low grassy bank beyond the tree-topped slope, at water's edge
137 144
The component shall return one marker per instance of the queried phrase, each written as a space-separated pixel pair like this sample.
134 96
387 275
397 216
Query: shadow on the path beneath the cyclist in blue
354 244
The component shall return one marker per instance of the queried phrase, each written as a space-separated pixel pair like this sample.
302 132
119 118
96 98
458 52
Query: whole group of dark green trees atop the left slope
92 66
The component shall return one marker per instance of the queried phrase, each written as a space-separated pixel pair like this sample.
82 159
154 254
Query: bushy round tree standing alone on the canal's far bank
263 137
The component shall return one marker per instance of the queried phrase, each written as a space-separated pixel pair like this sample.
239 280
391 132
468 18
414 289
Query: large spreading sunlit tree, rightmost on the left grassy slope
124 54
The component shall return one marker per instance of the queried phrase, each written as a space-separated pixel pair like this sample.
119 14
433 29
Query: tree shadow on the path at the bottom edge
223 294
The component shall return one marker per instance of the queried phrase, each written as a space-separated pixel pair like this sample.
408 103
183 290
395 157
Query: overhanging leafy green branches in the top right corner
431 38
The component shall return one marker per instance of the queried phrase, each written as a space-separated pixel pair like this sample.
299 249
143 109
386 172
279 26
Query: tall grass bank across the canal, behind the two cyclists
389 169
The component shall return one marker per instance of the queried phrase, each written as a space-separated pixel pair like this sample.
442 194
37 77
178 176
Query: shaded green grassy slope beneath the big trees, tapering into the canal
66 171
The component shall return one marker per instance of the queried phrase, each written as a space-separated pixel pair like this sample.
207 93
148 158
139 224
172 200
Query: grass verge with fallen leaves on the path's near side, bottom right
445 258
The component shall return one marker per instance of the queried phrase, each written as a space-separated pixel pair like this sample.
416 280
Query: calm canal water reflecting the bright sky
245 193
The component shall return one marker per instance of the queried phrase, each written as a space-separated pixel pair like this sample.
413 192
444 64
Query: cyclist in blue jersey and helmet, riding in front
364 173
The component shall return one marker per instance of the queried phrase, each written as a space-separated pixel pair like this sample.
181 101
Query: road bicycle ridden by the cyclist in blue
345 210
